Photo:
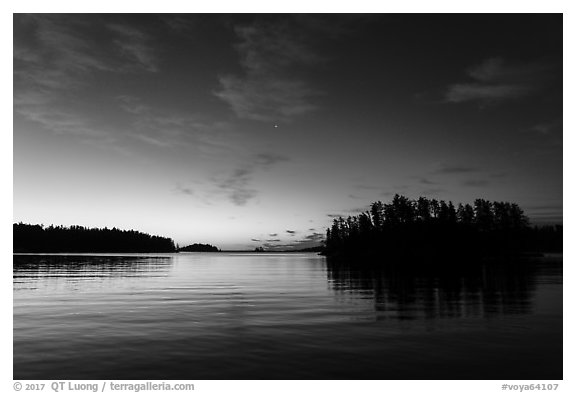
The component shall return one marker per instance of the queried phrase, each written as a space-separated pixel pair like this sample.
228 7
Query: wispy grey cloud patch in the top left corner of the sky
54 51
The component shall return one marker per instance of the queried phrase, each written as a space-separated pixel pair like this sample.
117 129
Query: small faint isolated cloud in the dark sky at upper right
495 81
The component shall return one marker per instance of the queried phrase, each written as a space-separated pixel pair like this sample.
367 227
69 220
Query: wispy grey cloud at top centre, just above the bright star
267 91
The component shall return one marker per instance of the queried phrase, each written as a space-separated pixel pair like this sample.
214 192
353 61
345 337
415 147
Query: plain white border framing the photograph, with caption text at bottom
300 6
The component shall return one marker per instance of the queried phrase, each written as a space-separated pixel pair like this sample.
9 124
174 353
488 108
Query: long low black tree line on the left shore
37 238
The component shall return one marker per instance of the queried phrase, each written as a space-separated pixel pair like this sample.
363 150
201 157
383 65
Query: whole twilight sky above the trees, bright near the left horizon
256 130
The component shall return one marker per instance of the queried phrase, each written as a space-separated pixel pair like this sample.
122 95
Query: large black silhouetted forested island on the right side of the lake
435 228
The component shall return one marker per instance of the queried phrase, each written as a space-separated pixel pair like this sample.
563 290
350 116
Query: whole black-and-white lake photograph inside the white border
288 196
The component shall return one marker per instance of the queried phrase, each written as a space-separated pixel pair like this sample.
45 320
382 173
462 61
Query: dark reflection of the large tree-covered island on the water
408 291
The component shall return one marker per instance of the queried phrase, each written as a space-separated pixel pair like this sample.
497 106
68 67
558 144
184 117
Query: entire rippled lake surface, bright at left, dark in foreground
283 316
